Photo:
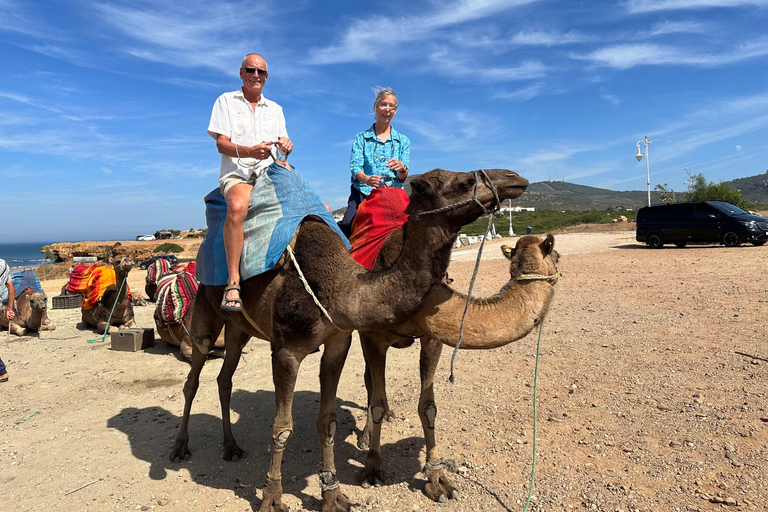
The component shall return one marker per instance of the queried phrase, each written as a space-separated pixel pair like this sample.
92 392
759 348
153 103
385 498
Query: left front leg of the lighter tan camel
375 354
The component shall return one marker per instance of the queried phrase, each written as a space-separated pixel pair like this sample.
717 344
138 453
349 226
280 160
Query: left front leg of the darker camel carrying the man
285 369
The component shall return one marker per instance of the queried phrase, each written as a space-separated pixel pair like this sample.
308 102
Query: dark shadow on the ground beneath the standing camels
151 432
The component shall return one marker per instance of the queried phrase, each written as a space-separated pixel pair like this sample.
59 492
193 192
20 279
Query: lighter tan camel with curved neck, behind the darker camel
508 316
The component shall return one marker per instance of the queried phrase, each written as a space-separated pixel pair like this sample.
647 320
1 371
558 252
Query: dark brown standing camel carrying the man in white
277 307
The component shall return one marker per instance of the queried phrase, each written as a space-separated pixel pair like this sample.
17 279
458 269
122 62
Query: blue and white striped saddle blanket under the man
280 200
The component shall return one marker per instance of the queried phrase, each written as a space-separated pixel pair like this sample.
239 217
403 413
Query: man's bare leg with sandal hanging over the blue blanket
238 198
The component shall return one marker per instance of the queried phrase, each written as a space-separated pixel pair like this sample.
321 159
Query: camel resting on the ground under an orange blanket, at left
122 316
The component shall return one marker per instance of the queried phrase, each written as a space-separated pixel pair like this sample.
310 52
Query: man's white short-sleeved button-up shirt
233 117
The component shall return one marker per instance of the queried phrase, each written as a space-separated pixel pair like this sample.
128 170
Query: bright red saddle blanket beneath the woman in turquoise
378 215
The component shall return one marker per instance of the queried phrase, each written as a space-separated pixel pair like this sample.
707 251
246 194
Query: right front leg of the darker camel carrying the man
334 357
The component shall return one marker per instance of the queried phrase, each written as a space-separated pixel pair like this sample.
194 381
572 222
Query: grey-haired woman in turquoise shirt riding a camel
380 154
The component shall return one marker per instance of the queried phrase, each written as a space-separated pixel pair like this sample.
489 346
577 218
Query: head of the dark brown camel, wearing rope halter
440 188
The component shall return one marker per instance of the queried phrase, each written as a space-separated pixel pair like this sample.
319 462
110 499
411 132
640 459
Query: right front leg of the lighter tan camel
439 487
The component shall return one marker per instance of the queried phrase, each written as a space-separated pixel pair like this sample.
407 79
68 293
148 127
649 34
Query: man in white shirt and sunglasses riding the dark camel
247 127
